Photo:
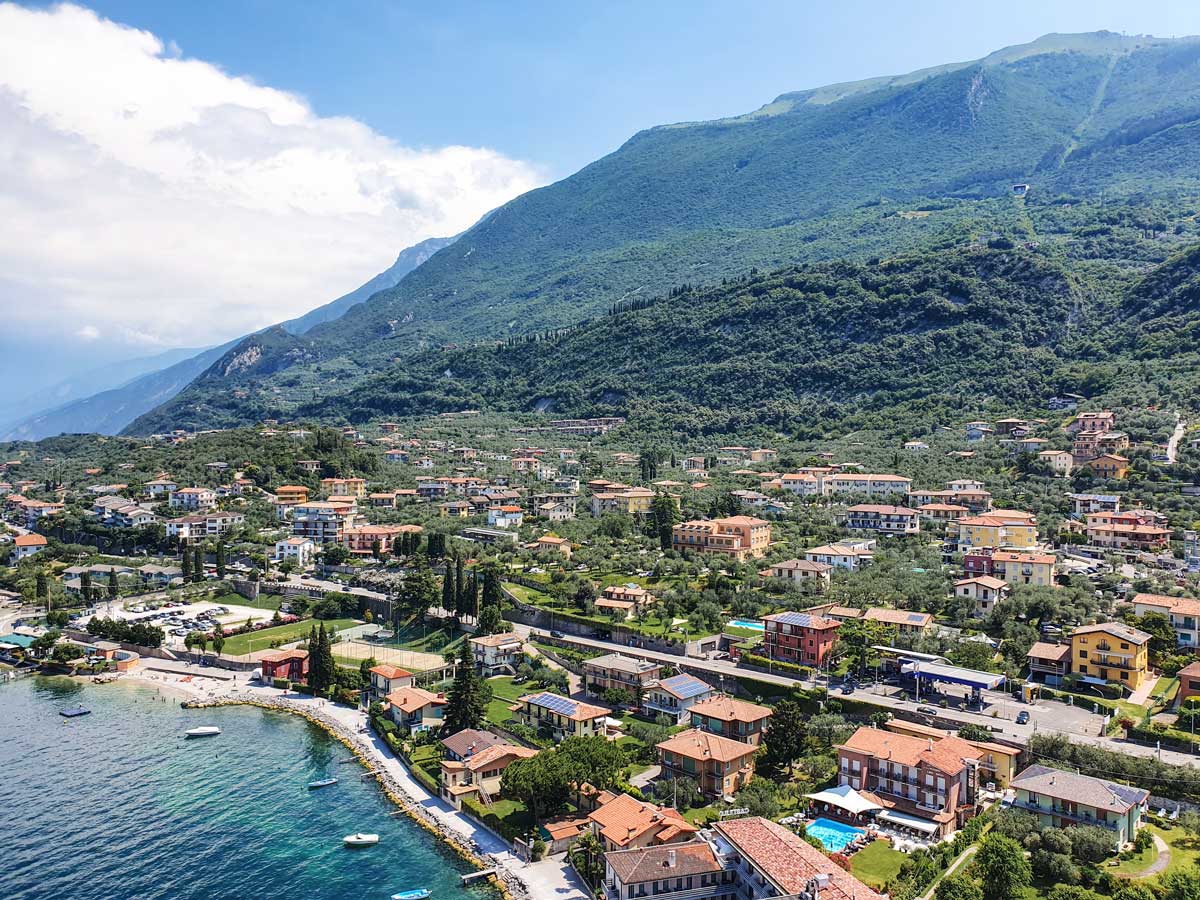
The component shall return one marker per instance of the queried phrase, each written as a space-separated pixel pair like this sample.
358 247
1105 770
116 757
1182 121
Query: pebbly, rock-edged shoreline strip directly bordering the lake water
410 799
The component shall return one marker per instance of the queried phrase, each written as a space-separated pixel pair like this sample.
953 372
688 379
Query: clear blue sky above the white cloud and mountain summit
562 83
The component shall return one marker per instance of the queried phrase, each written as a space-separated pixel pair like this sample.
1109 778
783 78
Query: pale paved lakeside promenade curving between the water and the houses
553 879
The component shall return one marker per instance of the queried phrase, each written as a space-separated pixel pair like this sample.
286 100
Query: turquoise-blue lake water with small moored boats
118 805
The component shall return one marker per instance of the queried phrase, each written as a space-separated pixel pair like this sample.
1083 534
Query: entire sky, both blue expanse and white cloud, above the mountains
185 173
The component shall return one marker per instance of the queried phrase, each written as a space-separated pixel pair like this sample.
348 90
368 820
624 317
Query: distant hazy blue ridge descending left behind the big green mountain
137 387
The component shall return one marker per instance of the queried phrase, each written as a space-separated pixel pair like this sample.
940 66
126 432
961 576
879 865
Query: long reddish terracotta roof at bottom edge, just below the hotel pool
789 861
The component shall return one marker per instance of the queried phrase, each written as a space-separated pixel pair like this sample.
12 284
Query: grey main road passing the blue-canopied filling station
1079 724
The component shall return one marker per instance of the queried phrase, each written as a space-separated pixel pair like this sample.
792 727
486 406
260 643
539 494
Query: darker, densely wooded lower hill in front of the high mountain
923 339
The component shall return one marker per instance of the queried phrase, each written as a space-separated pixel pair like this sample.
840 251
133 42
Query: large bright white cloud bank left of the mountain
155 200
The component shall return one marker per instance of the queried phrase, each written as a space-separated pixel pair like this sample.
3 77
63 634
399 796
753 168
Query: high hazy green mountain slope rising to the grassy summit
814 176
